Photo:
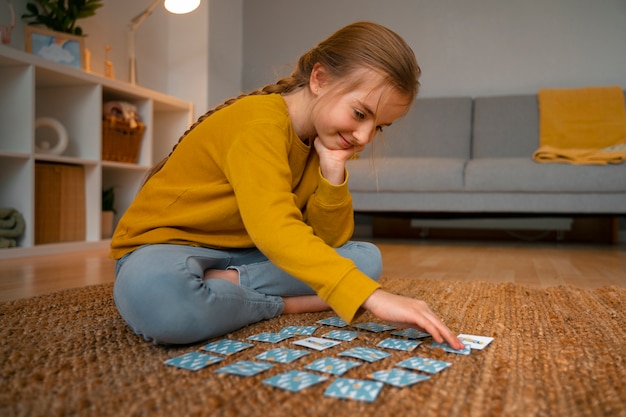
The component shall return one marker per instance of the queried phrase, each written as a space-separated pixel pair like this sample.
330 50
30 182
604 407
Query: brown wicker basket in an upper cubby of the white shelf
120 142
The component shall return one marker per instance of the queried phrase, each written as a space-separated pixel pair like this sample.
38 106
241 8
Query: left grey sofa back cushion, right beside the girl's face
437 127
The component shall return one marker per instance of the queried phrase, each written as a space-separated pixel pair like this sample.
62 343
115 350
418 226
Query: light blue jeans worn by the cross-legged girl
160 291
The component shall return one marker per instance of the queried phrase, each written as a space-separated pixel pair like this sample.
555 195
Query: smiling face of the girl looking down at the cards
345 120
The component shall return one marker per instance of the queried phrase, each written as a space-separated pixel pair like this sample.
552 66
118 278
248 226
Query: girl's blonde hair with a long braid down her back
354 47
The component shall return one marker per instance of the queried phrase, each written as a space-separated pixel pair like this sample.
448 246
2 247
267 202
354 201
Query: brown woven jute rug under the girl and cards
557 352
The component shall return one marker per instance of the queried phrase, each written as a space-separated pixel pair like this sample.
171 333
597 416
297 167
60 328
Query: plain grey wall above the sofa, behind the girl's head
479 47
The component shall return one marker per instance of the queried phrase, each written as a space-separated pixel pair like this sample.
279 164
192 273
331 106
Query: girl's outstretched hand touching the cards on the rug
407 312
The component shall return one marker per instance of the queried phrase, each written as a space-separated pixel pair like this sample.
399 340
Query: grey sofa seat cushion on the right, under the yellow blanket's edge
525 175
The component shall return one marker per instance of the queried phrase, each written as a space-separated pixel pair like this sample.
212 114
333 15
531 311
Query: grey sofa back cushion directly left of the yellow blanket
505 126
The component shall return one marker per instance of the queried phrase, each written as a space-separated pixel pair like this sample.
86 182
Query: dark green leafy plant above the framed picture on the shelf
61 15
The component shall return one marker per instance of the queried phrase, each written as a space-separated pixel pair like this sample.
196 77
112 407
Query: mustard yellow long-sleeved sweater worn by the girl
240 179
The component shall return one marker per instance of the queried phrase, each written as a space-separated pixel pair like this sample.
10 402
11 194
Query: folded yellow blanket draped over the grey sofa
582 126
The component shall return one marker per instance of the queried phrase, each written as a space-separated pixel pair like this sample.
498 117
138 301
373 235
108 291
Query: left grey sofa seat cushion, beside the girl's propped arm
406 174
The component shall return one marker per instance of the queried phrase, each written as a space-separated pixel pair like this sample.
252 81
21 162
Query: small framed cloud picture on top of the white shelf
55 46
